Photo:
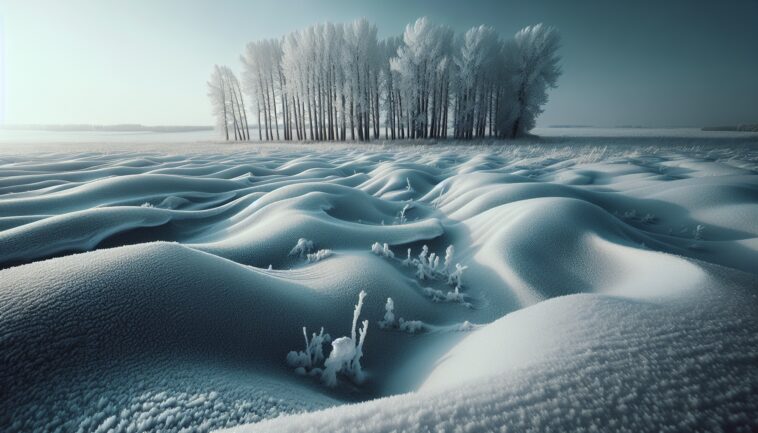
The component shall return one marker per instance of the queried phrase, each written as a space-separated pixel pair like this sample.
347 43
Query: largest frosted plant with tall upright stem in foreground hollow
346 354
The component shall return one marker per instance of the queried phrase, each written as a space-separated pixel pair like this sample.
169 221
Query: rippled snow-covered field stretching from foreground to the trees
607 281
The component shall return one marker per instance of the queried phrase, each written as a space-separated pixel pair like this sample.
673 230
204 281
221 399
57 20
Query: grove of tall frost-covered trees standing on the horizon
339 81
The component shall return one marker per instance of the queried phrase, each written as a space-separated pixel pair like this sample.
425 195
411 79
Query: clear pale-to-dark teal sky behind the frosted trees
648 63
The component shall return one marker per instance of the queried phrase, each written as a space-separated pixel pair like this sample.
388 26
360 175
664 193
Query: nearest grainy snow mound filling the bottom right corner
585 363
